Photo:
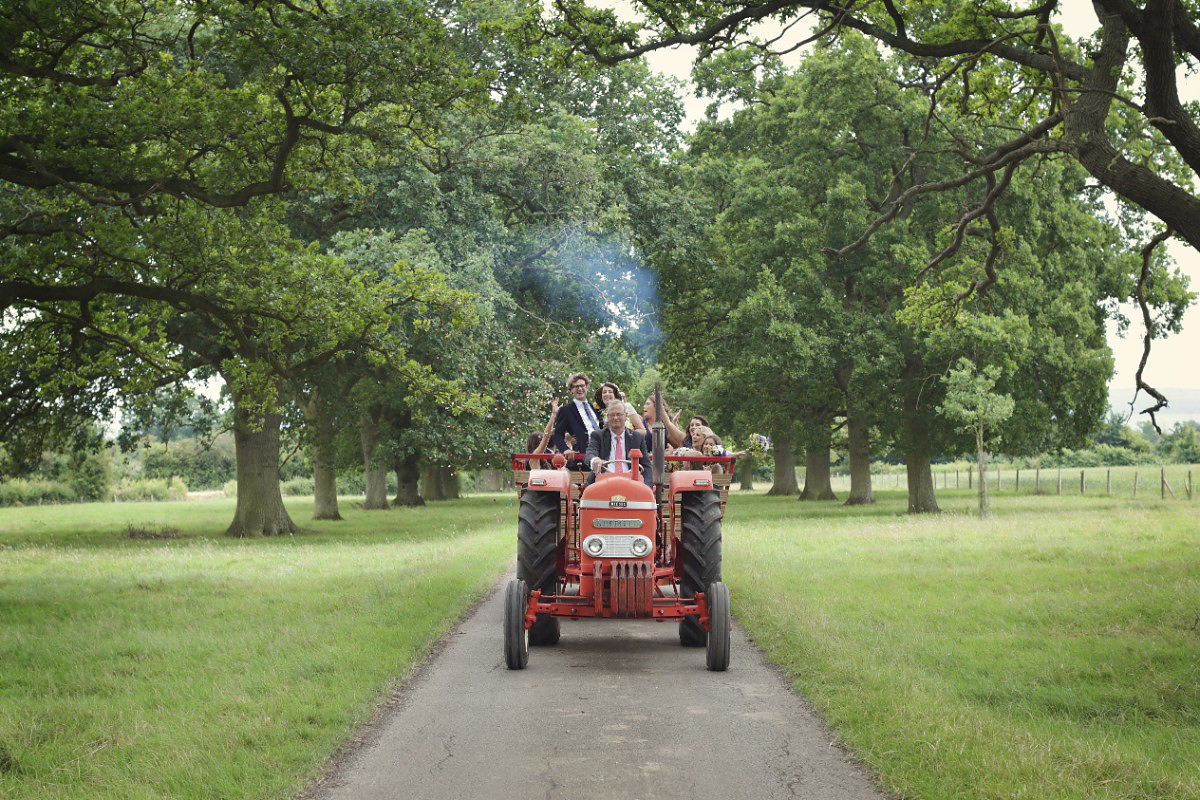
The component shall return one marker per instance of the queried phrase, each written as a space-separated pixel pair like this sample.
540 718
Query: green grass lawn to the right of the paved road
1053 652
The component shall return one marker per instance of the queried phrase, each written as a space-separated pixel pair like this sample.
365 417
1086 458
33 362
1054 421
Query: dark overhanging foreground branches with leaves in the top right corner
1112 104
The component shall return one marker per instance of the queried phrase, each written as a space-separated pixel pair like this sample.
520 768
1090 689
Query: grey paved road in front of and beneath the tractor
616 711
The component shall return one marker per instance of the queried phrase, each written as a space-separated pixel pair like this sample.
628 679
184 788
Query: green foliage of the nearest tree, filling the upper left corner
159 246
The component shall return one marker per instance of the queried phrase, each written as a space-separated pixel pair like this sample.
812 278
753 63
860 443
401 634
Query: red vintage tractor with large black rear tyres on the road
620 550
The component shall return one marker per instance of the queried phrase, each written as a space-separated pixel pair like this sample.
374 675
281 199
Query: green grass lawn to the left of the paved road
207 667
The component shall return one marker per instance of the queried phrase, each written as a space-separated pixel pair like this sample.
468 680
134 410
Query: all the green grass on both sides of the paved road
1053 652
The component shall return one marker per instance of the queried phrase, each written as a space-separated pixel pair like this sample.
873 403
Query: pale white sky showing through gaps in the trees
1174 362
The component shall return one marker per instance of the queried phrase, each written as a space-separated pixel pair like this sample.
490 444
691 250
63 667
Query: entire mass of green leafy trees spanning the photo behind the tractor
401 226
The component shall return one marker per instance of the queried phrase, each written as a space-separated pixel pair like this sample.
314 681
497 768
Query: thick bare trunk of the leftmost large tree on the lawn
260 512
